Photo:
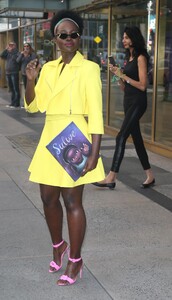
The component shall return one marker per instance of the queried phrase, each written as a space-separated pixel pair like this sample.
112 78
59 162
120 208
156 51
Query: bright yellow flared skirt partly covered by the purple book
45 169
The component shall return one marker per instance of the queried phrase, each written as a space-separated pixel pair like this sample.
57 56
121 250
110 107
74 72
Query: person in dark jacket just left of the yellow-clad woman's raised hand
24 58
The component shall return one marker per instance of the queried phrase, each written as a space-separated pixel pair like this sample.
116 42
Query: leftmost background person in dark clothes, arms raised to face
12 72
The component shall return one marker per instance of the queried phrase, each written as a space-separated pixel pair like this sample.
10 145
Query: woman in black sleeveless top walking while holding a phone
134 82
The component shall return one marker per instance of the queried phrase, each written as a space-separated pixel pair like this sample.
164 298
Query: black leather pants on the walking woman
130 125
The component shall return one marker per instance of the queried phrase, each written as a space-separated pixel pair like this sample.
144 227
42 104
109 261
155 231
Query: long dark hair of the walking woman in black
138 42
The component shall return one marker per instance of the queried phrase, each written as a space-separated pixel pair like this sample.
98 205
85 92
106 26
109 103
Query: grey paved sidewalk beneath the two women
128 244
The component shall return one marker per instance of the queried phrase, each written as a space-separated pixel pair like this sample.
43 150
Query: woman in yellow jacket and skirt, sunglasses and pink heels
68 90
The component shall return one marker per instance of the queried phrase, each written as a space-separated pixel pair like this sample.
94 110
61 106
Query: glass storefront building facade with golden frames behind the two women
103 30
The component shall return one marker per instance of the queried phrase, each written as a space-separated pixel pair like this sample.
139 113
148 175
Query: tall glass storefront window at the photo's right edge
163 125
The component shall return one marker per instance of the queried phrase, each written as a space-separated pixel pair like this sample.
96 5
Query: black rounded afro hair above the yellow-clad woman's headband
67 14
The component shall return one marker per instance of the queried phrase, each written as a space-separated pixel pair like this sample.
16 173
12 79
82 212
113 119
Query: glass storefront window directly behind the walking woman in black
136 14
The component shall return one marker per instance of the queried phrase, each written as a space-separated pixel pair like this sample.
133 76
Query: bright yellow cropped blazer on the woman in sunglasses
78 91
